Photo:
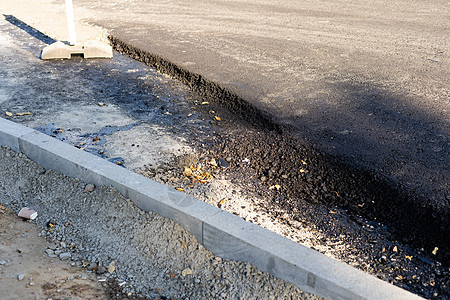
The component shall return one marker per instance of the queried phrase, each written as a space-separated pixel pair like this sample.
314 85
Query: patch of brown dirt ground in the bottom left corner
22 252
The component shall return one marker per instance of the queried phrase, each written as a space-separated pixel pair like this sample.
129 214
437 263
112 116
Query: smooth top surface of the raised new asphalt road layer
366 80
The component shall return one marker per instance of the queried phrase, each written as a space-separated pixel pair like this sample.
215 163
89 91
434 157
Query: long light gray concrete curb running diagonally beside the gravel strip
225 234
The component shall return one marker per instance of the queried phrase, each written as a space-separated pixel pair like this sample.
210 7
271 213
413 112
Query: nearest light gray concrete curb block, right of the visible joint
229 236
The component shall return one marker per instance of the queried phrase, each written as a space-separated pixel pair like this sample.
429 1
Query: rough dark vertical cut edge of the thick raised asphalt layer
408 207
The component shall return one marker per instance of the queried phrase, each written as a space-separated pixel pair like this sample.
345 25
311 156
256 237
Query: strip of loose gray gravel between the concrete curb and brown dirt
151 253
